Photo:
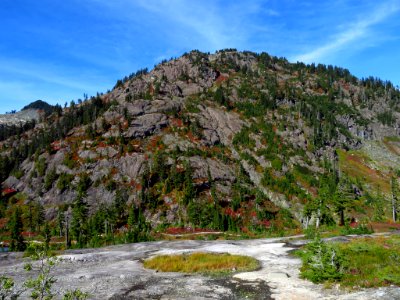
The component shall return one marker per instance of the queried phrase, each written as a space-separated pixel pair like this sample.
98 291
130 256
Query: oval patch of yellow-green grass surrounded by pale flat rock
202 262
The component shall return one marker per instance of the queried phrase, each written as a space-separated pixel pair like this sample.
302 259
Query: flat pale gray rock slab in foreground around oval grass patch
117 272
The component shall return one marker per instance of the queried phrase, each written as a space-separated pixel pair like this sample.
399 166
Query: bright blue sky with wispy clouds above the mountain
58 50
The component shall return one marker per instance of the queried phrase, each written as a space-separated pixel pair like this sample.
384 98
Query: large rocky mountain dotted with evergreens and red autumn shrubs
227 141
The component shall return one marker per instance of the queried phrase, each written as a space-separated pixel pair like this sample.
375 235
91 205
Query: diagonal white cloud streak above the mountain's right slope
355 32
